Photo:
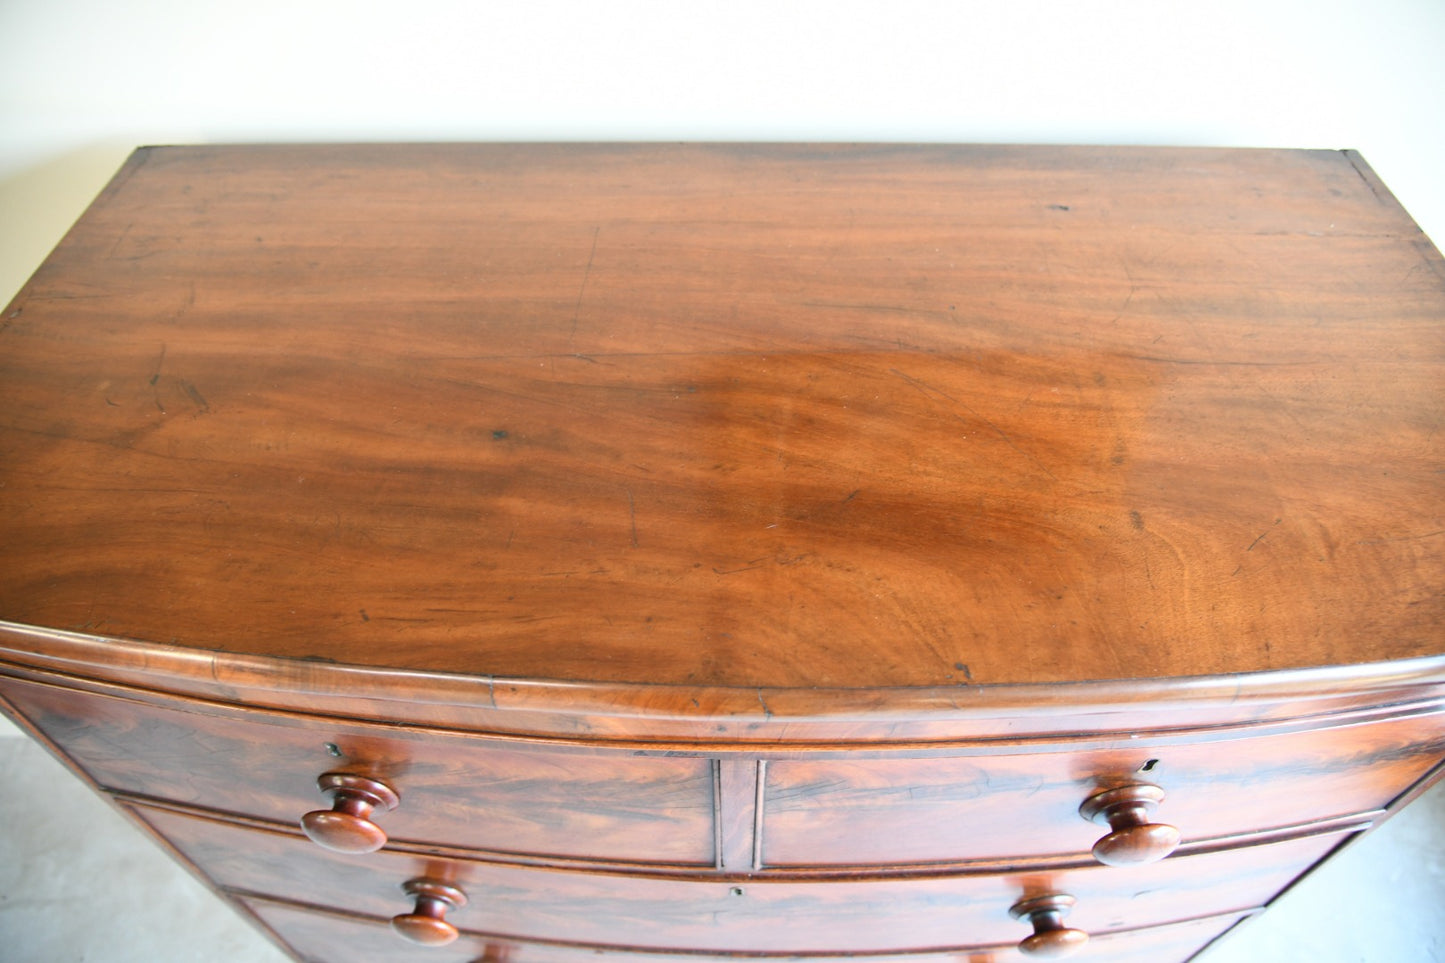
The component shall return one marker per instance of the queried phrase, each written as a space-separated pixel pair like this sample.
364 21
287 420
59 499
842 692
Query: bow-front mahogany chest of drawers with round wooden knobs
680 553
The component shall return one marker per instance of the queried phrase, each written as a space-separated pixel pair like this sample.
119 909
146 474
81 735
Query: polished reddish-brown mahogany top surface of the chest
769 417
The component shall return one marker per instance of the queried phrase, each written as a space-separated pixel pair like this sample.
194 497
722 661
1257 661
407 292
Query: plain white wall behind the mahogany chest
83 82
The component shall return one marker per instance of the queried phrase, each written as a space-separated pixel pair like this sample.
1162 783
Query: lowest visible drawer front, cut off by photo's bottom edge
322 938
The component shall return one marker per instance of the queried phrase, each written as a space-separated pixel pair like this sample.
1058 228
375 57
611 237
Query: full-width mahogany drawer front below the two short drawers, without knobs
759 915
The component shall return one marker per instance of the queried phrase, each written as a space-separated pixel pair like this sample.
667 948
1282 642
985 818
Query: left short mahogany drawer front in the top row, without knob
454 790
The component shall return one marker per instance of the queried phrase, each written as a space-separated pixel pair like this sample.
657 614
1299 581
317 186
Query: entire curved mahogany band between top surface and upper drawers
723 715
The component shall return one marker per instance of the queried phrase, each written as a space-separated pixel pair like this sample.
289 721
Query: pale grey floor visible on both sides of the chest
80 886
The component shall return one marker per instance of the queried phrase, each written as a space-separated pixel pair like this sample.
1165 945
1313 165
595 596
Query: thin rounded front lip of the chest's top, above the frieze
223 673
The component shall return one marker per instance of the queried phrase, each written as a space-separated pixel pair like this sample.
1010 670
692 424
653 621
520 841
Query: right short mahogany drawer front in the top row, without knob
876 812
